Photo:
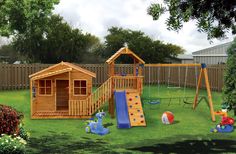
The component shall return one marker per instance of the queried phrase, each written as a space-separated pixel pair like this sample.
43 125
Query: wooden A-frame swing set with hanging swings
198 80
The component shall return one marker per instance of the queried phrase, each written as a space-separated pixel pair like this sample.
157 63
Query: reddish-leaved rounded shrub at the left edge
9 120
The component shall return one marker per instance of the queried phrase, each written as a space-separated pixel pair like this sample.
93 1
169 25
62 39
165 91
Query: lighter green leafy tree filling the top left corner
21 19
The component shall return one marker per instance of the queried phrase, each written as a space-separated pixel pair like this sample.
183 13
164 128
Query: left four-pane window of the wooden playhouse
45 87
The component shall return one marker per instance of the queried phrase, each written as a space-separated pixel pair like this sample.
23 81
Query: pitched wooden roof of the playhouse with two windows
45 72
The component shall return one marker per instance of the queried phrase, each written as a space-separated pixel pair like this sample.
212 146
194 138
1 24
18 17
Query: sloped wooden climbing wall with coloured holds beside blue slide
136 116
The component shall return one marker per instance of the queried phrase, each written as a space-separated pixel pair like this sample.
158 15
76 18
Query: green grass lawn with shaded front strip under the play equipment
190 132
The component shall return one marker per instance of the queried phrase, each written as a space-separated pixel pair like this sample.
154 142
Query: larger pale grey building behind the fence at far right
212 55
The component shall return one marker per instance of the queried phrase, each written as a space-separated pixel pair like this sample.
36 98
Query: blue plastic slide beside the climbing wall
122 110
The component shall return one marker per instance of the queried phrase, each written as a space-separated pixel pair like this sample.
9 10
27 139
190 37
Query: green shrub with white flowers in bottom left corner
12 145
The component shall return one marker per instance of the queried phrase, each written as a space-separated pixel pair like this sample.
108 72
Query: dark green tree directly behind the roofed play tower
151 51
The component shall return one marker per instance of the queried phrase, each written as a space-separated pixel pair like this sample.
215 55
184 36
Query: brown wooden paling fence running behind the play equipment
14 77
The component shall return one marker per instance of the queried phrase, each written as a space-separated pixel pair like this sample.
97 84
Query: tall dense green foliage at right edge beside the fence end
229 90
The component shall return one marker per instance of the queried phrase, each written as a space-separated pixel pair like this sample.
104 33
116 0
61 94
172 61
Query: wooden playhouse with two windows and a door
54 89
